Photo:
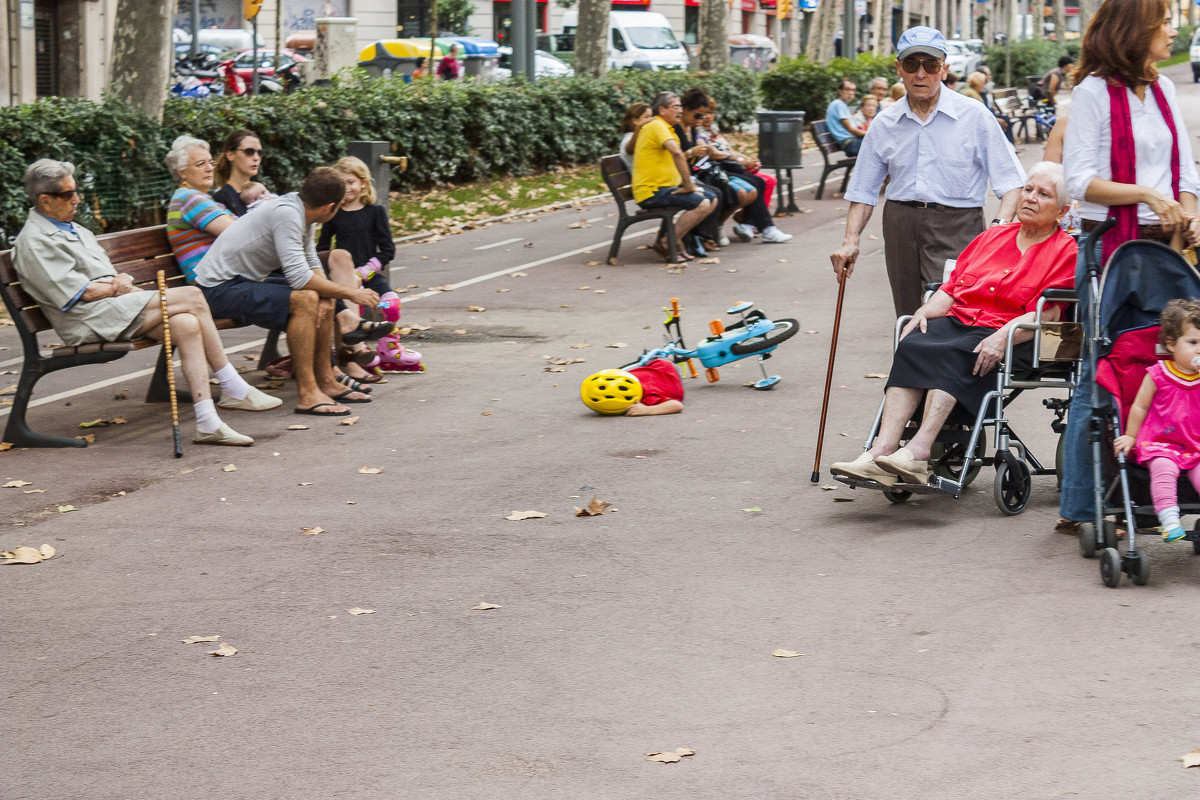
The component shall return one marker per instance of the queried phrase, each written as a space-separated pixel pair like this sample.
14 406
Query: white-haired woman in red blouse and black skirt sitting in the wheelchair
958 338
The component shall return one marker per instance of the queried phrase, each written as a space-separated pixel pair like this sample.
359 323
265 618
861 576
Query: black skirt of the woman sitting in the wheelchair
944 357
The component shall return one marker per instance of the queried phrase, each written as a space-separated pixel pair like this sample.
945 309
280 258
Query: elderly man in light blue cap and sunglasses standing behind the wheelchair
940 149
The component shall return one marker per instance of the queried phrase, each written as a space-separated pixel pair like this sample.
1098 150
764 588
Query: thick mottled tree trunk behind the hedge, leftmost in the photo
142 55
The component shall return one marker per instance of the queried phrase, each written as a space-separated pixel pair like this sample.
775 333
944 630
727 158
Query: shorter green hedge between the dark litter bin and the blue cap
801 85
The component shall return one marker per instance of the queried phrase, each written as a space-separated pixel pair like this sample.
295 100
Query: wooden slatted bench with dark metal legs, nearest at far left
142 254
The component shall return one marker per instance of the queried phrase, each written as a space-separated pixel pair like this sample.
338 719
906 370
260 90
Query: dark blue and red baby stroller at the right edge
1142 278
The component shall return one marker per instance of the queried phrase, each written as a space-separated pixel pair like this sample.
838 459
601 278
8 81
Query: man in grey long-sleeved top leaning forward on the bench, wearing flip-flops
236 278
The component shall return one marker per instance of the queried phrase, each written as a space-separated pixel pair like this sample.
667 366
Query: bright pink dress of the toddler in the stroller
1173 425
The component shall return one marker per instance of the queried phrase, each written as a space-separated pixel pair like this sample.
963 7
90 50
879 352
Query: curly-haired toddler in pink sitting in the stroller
1163 429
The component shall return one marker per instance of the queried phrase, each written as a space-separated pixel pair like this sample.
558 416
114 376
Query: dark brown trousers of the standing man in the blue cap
917 244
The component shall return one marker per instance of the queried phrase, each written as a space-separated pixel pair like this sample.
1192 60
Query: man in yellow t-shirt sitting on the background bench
662 177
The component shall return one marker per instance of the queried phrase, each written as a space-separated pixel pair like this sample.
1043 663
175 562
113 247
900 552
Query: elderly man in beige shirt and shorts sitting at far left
69 274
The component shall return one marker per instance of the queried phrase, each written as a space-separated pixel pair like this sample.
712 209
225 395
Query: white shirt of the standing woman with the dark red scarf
1089 146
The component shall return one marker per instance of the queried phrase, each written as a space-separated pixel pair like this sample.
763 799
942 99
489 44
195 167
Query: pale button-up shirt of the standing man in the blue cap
947 159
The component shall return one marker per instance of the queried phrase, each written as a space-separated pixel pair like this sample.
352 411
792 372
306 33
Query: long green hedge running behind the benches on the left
452 131
